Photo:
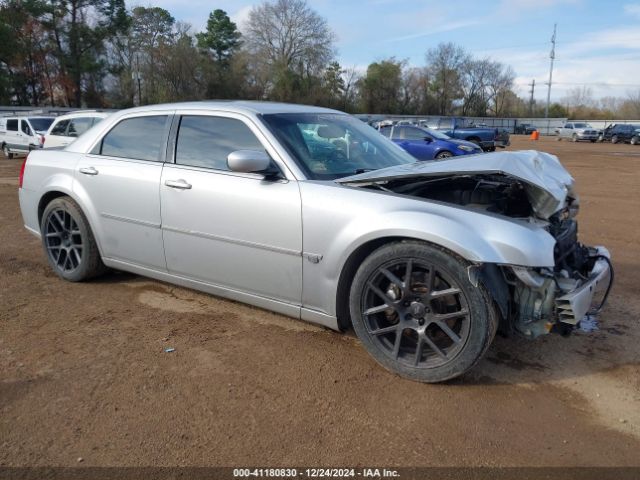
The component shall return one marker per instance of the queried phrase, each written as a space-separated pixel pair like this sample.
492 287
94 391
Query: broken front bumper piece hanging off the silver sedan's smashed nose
573 306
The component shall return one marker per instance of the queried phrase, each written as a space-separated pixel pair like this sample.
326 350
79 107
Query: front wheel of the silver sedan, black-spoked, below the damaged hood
415 314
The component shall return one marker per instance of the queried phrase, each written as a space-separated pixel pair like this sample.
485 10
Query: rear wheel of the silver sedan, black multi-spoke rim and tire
68 241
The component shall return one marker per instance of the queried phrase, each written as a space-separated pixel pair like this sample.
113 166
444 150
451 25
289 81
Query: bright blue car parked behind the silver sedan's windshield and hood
427 144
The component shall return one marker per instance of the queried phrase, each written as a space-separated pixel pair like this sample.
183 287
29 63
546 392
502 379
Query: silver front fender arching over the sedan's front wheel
338 221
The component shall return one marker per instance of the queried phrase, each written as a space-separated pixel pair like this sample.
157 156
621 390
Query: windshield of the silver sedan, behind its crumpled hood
329 146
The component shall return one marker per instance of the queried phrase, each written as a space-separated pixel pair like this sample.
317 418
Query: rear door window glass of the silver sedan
140 138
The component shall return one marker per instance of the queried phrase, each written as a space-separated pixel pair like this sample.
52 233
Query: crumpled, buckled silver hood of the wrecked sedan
546 182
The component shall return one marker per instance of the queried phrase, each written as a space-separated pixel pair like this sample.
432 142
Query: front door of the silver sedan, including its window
235 230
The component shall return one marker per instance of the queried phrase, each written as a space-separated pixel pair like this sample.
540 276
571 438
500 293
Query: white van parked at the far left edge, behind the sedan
21 134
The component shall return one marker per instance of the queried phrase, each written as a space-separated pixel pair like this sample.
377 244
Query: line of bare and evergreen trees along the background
99 54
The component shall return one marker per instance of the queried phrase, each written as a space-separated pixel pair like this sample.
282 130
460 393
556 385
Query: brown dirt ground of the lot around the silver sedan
83 372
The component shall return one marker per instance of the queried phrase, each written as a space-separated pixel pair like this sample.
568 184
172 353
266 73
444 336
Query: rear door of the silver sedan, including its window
119 182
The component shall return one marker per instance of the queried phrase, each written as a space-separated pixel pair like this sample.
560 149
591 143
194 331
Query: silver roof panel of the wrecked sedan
239 106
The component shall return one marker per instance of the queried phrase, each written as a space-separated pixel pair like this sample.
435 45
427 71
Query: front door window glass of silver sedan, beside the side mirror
207 141
